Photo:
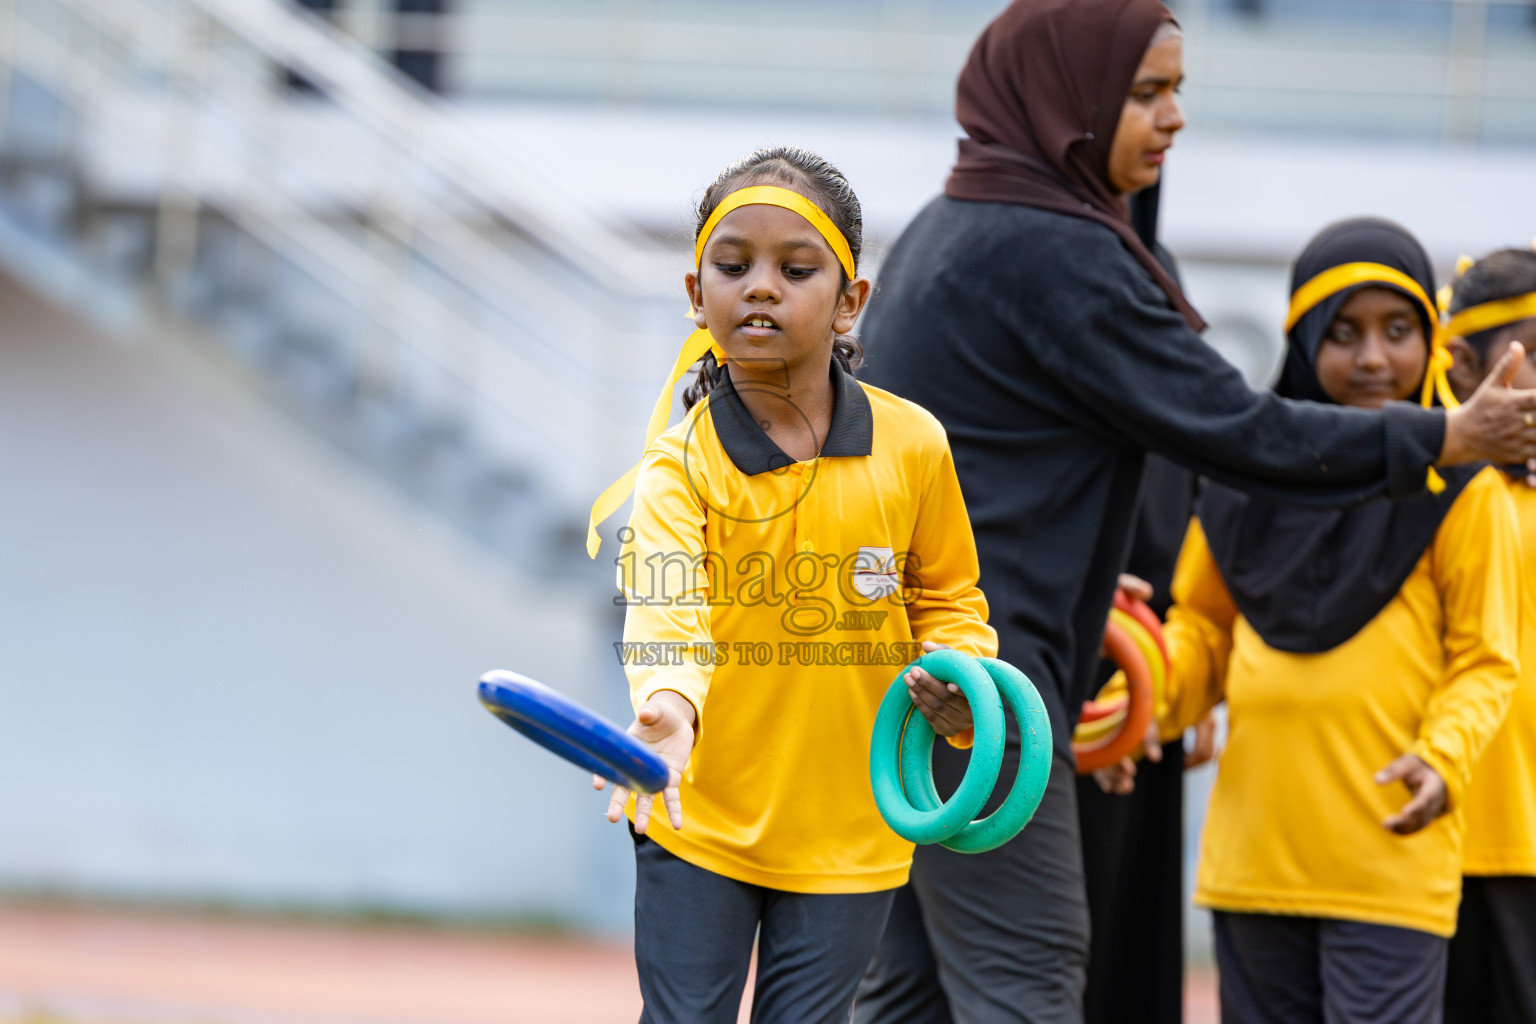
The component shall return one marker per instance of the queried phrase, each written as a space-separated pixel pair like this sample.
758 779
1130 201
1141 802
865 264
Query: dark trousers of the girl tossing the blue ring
694 945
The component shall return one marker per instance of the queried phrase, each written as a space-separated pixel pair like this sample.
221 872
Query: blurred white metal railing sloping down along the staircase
452 253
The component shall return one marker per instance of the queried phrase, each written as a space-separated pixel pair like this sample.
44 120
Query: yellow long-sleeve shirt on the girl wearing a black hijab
1296 818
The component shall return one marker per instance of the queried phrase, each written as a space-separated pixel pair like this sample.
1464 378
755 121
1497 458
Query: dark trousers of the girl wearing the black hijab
1280 969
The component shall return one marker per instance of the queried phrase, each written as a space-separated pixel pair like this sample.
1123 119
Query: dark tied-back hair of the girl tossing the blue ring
824 185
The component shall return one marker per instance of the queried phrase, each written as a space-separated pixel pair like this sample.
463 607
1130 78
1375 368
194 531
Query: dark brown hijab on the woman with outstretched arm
1041 101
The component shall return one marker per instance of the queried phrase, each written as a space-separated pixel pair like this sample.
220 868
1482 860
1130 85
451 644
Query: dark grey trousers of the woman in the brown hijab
988 939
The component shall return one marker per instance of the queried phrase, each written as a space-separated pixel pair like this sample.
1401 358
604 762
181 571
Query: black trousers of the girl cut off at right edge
1492 974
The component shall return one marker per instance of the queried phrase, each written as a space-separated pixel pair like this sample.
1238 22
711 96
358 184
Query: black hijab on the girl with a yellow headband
1309 580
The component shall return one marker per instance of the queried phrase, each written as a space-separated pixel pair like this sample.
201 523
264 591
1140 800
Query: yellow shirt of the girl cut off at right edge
1501 801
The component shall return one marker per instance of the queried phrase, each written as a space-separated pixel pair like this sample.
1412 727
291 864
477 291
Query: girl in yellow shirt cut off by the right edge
1492 976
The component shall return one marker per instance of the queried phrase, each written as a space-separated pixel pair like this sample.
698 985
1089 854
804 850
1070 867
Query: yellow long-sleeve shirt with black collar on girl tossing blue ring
819 583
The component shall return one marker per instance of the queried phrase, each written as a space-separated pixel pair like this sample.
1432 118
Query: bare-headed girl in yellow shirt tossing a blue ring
795 541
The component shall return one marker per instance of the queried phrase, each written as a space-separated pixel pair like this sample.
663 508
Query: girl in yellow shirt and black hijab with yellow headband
1366 658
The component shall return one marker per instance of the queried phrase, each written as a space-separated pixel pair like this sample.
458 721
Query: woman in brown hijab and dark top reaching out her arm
1025 314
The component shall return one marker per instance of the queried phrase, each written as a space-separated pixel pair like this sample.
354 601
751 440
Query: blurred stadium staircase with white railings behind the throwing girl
243 176
